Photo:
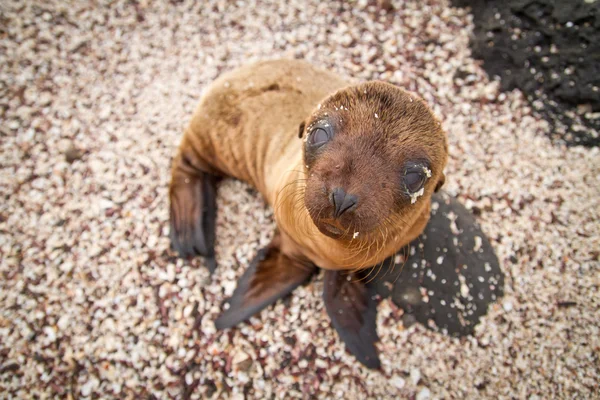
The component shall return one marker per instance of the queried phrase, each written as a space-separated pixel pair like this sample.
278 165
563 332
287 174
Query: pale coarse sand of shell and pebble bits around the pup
93 102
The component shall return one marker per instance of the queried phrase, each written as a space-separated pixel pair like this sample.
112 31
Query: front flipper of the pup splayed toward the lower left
270 276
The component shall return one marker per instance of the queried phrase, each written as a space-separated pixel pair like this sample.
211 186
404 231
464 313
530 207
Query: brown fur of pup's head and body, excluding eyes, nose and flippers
246 127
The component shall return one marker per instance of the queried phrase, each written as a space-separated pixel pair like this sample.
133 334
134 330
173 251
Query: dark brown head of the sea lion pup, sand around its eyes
374 154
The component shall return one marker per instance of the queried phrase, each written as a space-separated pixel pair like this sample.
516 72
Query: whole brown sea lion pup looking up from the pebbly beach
349 170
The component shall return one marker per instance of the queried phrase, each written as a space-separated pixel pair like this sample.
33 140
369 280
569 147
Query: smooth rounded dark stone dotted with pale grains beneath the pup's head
446 278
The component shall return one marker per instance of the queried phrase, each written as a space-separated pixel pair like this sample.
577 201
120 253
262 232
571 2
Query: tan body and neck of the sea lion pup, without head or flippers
246 127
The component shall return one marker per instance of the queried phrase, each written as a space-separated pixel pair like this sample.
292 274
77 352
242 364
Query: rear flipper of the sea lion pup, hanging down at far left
193 210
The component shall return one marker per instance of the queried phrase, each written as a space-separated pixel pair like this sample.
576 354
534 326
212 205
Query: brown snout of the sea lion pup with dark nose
344 186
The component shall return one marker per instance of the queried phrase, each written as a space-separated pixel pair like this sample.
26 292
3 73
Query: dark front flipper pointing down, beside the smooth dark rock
350 305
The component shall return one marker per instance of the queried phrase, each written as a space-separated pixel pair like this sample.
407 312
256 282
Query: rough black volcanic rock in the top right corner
549 49
